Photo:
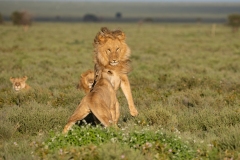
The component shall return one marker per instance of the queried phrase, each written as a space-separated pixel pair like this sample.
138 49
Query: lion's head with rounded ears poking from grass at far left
19 84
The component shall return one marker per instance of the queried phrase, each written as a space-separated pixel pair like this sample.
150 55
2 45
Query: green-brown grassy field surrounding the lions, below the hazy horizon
185 84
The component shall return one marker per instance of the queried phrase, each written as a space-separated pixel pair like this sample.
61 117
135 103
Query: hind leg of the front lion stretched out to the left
80 113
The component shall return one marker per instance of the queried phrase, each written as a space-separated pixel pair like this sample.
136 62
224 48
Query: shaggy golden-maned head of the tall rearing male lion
110 47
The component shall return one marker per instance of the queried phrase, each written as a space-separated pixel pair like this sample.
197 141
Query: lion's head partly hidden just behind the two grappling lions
86 81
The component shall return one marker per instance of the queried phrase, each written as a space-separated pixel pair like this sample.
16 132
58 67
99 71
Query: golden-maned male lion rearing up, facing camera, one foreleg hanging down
113 53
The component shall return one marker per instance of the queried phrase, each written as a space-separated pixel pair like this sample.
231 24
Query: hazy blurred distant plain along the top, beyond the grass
172 11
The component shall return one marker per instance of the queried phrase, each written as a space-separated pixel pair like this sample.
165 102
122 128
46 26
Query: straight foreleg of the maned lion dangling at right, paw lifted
125 85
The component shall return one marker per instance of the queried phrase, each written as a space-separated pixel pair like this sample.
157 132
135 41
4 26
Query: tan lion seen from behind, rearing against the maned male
101 101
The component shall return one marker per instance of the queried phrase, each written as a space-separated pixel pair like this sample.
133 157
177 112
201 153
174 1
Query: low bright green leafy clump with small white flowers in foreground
144 140
